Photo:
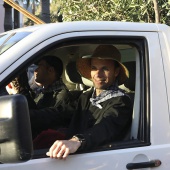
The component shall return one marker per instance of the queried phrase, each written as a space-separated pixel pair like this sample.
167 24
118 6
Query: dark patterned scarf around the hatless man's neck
56 86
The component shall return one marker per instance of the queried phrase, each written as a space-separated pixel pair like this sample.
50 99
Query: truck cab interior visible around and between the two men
78 84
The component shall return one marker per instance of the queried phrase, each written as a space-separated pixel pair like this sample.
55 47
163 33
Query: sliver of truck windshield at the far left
8 40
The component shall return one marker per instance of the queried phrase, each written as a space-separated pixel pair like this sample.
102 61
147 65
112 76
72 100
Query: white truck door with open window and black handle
147 143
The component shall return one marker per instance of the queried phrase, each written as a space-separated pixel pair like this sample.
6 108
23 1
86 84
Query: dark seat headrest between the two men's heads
72 74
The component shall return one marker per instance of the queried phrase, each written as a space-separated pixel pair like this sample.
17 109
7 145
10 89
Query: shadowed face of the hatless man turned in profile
41 73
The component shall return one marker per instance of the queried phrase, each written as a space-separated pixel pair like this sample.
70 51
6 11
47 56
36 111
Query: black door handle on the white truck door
150 164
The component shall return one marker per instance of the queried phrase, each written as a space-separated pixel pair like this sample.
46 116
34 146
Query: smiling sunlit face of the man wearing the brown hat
103 73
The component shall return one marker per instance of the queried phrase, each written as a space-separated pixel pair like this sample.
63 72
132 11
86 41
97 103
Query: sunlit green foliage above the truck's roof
110 10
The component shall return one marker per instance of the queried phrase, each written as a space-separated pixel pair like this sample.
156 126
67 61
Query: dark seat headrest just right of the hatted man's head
130 82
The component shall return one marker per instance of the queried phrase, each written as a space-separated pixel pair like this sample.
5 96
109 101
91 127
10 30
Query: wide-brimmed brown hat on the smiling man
105 52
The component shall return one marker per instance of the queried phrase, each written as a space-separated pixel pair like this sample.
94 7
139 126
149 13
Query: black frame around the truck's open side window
141 44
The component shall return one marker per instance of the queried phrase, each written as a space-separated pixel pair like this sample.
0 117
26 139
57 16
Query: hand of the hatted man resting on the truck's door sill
62 148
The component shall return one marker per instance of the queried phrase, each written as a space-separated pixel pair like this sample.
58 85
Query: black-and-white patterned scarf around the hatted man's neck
112 91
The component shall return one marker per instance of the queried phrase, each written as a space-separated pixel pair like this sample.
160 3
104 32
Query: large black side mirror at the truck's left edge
15 129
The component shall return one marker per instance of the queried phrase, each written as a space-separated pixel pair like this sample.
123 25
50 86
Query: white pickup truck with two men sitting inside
145 50
